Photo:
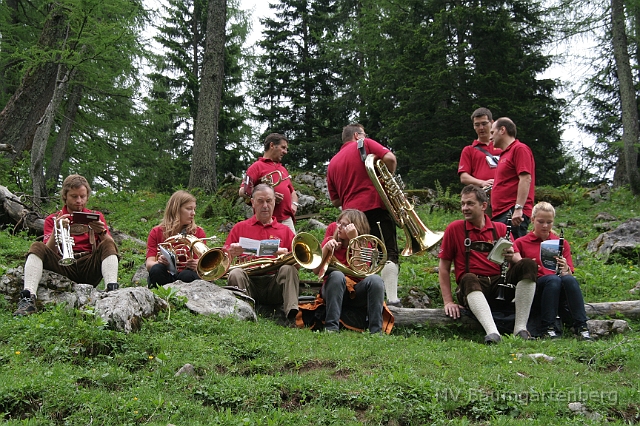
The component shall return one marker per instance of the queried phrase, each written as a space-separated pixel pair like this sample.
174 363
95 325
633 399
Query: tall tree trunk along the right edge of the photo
628 103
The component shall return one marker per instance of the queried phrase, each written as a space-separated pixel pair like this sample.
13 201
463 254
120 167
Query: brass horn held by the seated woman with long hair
212 262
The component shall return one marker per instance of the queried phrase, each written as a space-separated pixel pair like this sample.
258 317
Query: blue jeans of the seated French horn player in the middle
369 293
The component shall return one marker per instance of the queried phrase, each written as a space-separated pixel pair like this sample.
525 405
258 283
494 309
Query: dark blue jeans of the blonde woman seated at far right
554 290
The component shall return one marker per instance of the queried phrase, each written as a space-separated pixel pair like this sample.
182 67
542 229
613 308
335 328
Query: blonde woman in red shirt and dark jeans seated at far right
555 286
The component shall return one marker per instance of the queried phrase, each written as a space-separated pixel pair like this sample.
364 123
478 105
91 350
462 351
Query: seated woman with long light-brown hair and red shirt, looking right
178 218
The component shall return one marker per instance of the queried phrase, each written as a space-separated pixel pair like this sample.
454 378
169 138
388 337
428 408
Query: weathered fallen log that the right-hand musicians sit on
436 317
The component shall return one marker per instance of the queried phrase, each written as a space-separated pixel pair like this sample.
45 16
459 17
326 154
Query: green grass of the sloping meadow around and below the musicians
65 367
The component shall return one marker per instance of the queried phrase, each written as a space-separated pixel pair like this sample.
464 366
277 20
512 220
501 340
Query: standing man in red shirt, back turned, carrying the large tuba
350 187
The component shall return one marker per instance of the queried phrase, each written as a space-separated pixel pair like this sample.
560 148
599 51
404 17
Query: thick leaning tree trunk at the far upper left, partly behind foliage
19 118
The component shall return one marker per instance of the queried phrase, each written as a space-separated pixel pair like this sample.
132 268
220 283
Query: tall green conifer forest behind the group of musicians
83 91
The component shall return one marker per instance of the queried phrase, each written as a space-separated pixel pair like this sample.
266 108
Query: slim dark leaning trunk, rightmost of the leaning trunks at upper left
64 134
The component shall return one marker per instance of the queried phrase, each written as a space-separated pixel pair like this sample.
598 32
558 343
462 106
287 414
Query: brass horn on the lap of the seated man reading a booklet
306 252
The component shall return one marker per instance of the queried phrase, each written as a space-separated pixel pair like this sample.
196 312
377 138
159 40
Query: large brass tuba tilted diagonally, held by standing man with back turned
417 236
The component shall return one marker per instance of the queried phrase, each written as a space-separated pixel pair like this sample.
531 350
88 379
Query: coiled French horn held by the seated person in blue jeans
366 255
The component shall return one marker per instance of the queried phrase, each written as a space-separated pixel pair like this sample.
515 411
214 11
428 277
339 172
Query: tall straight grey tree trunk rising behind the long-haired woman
203 168
